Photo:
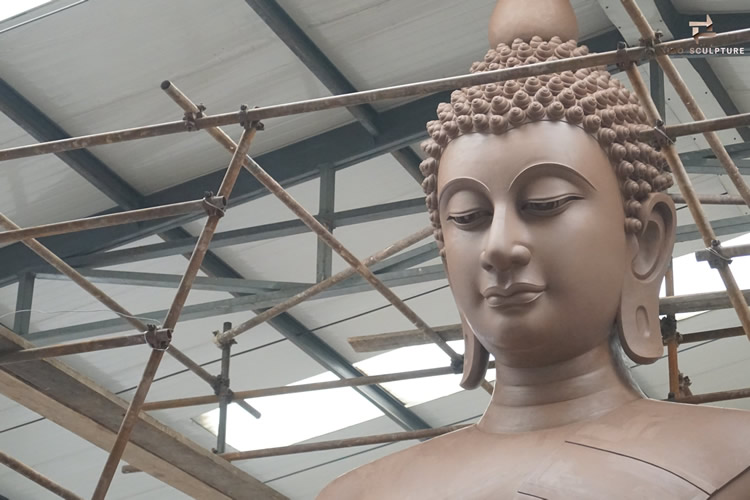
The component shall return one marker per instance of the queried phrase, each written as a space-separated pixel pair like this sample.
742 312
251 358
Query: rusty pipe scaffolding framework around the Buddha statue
159 337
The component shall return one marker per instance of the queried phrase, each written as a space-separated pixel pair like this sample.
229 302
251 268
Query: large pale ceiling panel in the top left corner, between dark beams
228 59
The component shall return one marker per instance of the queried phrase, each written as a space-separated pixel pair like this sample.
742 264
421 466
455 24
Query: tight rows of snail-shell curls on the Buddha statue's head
587 98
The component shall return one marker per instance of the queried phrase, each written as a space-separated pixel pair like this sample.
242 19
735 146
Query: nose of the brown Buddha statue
506 245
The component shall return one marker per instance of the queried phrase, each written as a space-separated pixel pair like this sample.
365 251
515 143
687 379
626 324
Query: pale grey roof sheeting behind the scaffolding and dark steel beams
97 66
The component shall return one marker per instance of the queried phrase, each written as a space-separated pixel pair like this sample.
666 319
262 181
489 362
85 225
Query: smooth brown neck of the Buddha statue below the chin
575 390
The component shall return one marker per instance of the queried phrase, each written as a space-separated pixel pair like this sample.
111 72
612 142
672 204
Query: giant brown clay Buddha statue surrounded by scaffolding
556 233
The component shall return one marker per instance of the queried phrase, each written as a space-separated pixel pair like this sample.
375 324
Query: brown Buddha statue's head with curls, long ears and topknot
549 212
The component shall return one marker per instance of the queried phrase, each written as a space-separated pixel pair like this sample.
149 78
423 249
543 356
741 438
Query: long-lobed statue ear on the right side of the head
638 317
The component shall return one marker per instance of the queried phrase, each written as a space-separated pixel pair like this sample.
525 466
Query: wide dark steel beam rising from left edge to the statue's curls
290 165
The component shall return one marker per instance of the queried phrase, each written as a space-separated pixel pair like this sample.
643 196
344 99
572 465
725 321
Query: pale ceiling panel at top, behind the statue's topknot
433 38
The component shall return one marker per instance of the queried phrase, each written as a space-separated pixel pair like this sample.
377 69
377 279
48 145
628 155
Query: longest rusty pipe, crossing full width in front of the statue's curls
369 96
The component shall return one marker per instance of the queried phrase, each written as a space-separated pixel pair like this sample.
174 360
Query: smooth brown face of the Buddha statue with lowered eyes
535 248
